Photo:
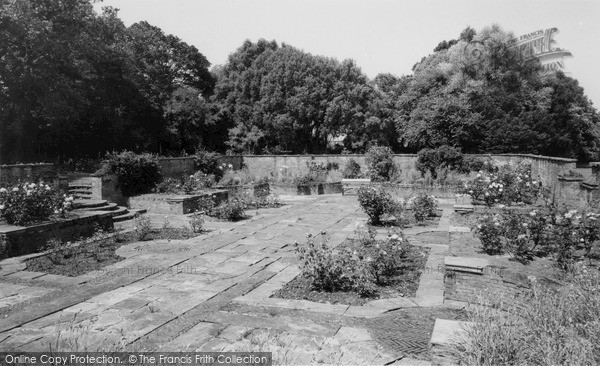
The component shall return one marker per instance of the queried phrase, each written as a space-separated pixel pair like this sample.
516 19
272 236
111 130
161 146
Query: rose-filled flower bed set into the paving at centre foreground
358 271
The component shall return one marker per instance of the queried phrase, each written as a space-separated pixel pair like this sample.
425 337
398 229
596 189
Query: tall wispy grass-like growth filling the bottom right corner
546 327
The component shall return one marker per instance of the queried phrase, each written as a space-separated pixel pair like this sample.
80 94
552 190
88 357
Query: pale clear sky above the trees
382 36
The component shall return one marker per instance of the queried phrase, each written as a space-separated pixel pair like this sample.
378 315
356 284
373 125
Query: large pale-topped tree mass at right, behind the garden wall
476 93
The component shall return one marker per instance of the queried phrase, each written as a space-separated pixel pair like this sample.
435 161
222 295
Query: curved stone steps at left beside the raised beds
84 201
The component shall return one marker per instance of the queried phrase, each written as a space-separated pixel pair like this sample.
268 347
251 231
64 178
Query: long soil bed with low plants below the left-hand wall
92 256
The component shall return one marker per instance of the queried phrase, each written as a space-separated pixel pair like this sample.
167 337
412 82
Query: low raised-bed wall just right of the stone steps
175 204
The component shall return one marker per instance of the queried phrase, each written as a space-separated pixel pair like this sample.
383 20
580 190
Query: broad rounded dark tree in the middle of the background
281 99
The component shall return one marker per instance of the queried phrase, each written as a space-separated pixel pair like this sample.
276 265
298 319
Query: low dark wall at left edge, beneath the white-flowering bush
19 240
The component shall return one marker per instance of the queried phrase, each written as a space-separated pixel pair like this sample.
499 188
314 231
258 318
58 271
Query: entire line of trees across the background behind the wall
74 83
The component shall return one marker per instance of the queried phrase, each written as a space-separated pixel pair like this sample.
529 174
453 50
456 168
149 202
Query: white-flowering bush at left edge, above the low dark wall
29 203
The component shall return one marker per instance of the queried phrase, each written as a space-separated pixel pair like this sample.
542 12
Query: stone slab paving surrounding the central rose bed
213 292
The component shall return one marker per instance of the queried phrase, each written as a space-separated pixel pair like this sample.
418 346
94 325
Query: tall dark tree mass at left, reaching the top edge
77 83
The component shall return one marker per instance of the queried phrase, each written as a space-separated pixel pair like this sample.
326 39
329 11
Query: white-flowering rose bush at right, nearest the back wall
509 185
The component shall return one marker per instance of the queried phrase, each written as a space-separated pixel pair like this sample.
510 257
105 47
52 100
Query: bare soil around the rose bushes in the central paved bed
404 285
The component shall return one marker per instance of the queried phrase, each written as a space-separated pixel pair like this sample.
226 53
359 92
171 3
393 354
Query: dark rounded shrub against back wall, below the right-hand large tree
431 160
